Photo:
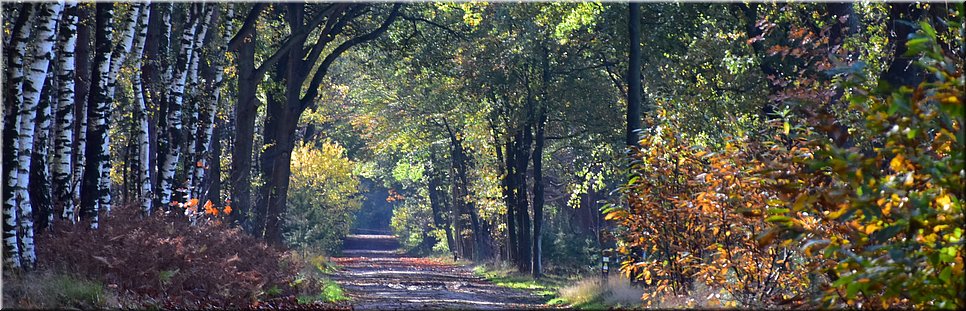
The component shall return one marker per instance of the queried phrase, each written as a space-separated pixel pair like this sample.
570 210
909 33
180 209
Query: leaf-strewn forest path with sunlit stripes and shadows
376 275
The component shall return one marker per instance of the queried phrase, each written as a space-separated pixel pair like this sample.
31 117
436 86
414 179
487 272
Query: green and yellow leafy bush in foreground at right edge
890 217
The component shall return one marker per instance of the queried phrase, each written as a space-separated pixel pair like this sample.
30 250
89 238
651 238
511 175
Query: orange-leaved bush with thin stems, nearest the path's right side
684 224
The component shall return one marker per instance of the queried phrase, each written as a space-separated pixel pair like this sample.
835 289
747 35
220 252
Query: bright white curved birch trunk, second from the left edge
42 52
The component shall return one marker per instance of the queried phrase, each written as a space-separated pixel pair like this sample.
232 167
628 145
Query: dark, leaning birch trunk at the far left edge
15 53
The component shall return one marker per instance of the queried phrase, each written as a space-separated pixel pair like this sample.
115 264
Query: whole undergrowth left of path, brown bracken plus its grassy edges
161 261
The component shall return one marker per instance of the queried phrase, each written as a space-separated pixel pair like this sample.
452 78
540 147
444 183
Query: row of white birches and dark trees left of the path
118 104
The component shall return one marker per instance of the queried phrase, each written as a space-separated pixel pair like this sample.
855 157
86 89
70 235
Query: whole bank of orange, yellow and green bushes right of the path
795 214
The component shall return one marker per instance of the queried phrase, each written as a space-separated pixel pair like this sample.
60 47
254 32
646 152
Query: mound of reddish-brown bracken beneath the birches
165 261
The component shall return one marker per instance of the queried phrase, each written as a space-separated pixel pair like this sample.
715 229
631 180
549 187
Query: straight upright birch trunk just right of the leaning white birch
64 129
